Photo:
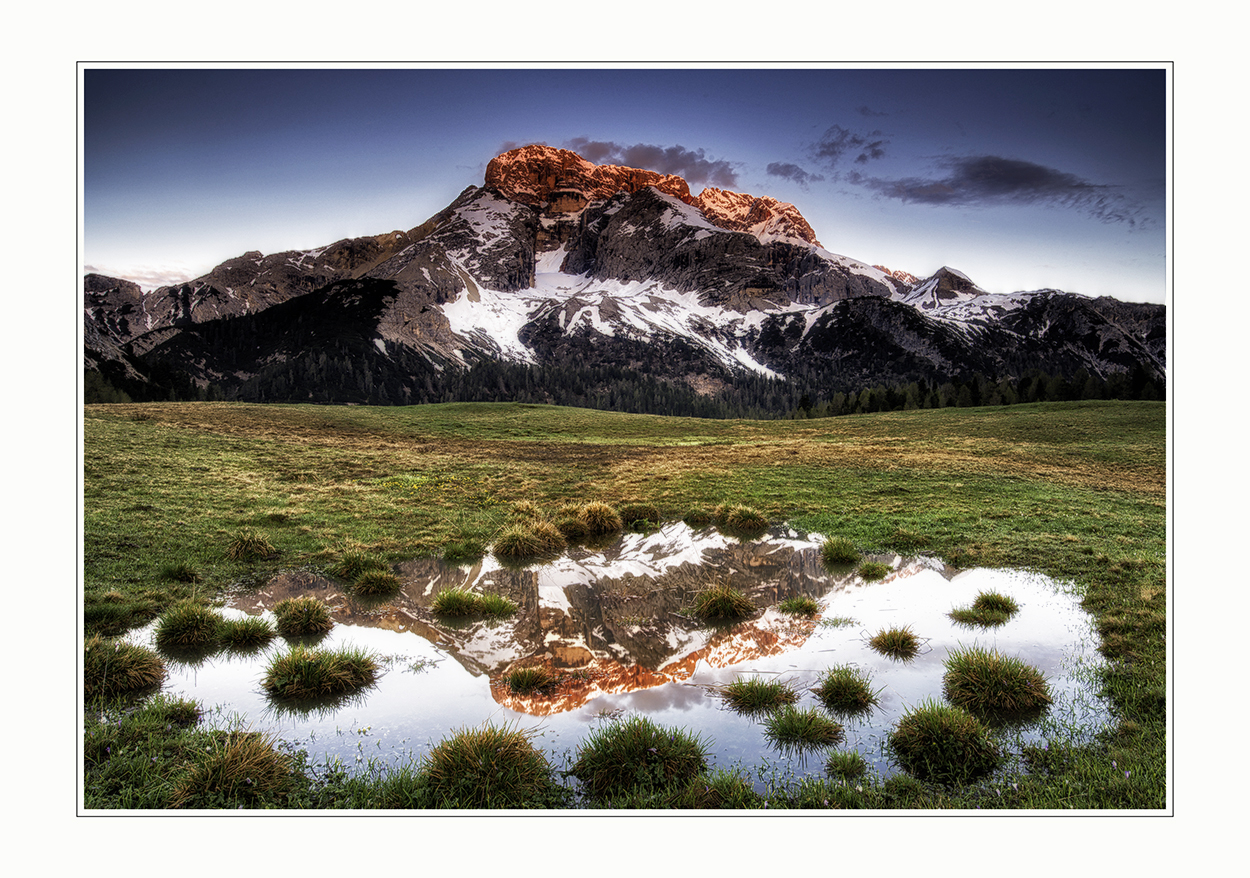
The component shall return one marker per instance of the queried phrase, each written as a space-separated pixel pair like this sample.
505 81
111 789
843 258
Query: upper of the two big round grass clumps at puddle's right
987 684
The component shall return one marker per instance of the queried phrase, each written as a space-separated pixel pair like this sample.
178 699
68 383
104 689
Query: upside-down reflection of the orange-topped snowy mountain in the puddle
612 620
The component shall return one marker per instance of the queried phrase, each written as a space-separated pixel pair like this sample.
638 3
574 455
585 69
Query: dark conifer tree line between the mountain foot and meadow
349 375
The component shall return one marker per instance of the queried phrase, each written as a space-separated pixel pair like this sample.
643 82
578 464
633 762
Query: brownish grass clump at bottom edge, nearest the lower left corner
244 767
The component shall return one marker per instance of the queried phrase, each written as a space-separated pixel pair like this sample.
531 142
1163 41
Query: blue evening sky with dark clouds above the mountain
1021 178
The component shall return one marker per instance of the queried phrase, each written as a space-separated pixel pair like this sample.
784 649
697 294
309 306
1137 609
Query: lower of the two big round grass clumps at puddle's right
943 745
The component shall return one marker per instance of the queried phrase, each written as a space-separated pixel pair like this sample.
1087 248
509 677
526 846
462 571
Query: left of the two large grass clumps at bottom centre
492 767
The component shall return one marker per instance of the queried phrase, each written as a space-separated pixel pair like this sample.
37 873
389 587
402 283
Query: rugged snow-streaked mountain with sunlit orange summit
558 273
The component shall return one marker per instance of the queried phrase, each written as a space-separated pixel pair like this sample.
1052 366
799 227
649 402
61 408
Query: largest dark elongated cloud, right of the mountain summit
993 179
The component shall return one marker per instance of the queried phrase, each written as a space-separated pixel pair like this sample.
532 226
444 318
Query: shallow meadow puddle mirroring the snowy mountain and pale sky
613 620
